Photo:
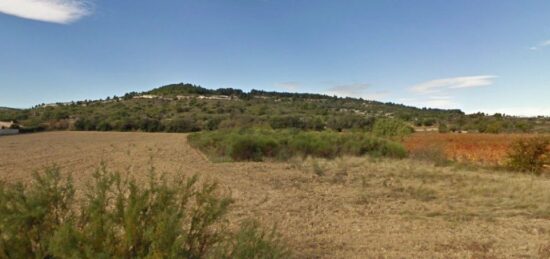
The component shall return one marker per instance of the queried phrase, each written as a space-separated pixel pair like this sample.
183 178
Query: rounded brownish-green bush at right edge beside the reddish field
529 155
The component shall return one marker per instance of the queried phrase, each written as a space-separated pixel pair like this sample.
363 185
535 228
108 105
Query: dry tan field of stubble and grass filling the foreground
343 208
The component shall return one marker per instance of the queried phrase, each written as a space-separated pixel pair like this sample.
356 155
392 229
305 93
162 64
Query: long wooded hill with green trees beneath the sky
187 108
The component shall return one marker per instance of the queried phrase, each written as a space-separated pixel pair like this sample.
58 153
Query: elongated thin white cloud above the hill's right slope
438 85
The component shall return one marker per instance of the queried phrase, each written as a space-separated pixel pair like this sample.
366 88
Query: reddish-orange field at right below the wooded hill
487 149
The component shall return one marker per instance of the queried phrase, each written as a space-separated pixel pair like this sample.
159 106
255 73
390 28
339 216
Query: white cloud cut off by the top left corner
55 11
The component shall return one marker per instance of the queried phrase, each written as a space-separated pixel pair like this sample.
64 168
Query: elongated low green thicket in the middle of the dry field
257 144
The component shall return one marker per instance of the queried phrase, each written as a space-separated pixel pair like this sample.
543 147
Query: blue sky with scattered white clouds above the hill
488 56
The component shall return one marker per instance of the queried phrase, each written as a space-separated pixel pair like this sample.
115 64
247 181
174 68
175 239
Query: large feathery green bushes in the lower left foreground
119 218
